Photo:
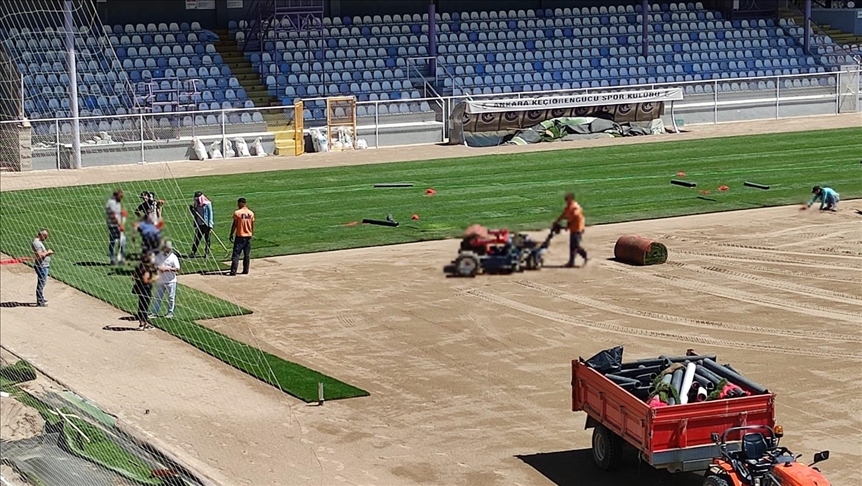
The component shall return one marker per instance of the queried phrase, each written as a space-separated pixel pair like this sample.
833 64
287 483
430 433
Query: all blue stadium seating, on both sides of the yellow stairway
168 68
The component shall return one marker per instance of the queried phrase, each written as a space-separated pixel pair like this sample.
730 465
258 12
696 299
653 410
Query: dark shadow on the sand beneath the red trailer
576 468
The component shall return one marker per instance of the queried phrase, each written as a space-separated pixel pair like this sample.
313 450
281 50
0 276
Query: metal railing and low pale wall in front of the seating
150 137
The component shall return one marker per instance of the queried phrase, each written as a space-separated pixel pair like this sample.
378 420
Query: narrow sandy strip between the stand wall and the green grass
30 180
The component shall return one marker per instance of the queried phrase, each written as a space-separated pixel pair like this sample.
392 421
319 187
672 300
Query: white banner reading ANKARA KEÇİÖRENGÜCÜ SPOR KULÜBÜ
575 101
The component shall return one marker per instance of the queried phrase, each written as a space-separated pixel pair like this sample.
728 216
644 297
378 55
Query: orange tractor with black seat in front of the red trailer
759 461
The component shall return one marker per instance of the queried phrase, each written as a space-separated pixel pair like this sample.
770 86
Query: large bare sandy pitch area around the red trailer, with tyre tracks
469 379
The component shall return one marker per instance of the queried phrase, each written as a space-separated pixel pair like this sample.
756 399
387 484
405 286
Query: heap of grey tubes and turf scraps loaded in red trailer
674 380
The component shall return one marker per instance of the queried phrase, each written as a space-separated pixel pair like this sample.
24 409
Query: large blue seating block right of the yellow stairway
535 50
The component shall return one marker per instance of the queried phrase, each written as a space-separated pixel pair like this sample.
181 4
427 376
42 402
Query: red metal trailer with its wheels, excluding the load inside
677 437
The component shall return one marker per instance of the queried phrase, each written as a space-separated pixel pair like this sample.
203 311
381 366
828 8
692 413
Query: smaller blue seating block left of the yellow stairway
162 68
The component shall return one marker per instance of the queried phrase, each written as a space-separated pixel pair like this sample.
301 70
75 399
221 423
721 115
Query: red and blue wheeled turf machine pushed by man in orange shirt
498 251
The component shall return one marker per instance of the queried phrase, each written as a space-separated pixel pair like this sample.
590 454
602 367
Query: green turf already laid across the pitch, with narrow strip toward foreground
305 211
